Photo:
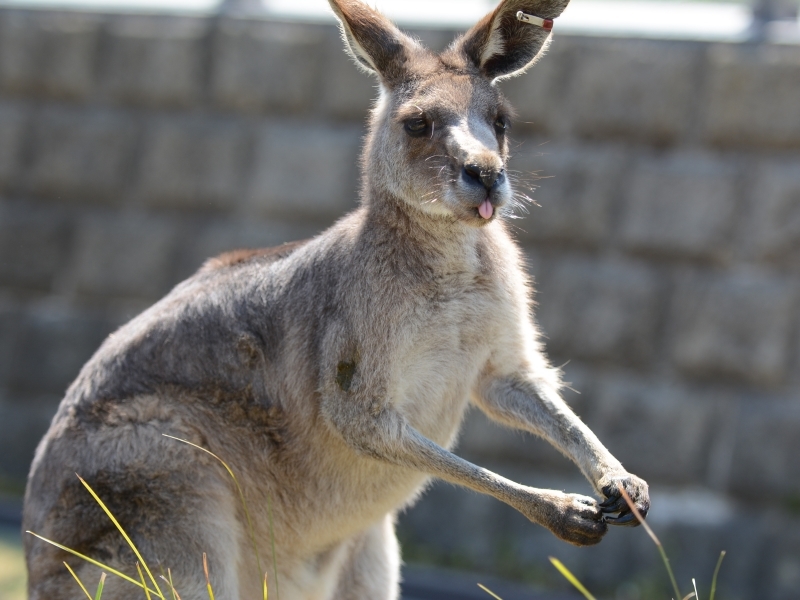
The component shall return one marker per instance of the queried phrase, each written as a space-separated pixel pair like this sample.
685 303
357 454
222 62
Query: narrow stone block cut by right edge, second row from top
773 229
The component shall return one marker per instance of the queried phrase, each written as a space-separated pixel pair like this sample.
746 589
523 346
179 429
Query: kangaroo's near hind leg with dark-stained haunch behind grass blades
172 508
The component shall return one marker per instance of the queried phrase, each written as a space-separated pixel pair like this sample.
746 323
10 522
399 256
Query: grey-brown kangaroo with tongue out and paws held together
331 374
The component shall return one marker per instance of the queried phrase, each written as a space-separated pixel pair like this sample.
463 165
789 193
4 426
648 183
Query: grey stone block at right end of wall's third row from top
733 326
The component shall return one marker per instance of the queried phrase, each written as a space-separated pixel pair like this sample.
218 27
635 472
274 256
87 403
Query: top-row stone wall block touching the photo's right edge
752 95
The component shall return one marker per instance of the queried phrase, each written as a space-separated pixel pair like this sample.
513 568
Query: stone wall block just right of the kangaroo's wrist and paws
661 432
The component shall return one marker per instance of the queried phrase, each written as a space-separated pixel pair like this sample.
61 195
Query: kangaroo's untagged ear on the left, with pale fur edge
375 43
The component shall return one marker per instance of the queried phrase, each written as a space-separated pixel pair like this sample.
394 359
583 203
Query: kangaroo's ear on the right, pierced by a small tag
501 45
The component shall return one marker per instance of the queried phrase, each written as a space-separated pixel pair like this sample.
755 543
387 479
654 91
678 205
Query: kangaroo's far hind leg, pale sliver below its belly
372 571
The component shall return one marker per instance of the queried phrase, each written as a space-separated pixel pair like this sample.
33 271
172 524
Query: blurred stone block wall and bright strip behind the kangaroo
138 138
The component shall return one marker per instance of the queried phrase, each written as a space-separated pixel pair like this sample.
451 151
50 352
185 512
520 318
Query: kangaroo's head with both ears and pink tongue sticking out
438 137
